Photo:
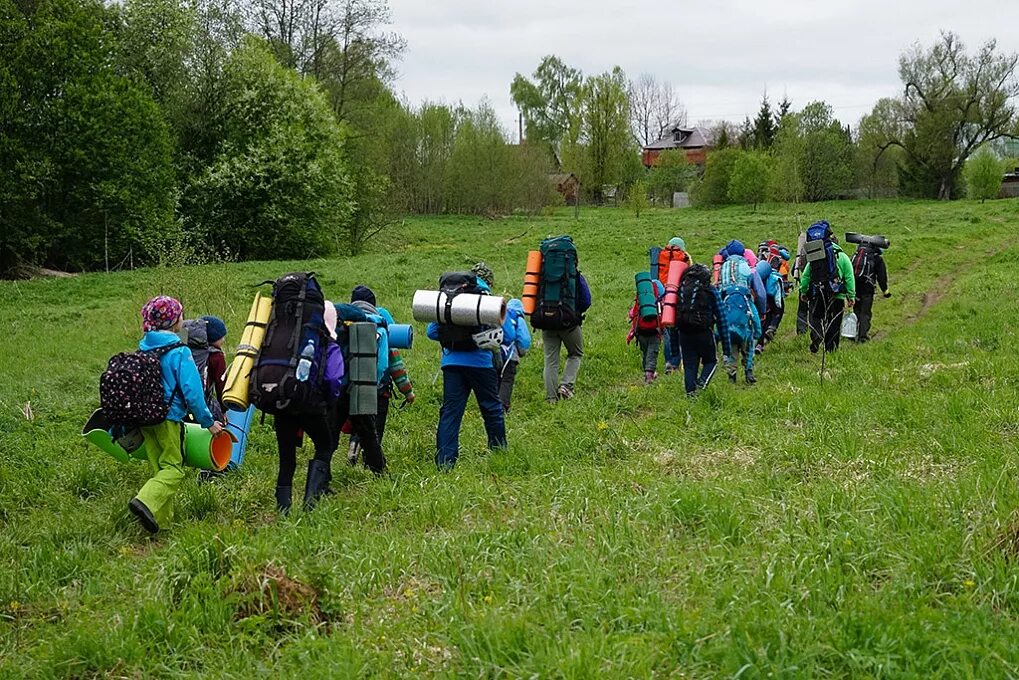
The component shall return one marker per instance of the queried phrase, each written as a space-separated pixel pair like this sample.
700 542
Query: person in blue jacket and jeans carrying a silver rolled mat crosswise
469 364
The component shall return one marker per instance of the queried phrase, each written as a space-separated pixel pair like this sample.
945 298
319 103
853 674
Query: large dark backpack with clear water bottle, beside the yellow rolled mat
297 322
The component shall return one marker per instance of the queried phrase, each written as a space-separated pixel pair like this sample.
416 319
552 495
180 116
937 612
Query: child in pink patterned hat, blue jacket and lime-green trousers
183 392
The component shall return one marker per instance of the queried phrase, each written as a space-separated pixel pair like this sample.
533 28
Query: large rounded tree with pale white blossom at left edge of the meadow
279 186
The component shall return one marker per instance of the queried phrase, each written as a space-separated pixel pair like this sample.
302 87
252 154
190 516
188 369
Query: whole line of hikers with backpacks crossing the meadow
319 377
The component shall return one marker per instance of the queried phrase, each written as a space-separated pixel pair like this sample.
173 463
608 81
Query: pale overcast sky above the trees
721 56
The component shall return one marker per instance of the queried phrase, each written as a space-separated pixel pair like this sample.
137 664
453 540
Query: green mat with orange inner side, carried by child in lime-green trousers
201 449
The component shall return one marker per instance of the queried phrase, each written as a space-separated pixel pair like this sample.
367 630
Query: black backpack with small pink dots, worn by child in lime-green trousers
131 391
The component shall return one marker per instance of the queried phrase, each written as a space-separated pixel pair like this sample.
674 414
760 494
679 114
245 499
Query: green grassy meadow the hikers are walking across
861 528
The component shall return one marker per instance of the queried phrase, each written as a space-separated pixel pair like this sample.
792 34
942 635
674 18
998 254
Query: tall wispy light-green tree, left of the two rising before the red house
552 103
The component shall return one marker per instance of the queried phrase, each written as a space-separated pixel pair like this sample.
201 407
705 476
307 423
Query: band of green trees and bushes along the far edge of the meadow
182 131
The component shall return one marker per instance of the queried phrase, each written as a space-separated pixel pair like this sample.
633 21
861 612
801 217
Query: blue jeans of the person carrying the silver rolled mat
458 384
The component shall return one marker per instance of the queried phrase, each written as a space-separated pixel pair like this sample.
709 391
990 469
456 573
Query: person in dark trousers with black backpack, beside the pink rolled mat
699 311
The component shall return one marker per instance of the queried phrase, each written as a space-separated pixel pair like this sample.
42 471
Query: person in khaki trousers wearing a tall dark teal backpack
564 297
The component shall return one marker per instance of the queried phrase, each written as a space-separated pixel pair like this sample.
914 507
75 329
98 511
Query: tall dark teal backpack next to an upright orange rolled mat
557 308
